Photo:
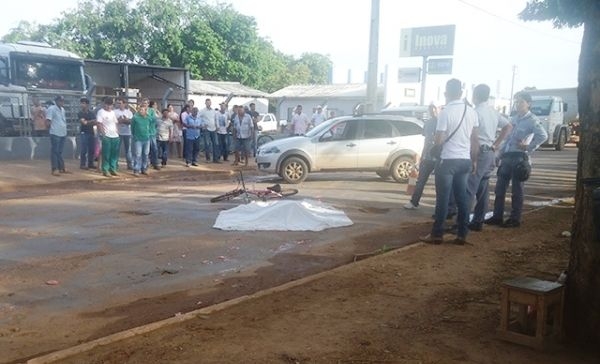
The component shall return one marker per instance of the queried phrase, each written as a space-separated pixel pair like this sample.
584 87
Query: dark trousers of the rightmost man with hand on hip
506 177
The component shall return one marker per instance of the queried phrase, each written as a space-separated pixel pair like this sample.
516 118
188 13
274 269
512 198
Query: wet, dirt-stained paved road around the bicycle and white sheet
129 251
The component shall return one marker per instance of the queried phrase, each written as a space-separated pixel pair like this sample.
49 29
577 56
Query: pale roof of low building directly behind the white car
348 90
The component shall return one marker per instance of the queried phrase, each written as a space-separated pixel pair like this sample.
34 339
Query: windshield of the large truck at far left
43 73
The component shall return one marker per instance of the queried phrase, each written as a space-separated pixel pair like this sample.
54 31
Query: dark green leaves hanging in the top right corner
569 13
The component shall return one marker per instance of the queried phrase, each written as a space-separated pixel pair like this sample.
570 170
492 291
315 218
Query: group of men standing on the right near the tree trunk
463 146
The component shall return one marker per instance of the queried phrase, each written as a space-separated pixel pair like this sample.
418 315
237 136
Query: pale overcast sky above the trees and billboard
490 40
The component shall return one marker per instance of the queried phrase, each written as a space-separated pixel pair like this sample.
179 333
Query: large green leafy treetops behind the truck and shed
215 42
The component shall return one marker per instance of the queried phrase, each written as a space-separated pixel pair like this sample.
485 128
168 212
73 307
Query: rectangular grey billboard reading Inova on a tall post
427 41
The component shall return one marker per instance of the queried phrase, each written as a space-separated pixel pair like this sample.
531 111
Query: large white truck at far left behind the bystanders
32 69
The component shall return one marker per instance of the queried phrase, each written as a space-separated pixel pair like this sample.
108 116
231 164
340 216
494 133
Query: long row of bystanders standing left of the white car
149 136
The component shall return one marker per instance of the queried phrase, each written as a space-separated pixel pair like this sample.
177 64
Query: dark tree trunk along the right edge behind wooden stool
582 310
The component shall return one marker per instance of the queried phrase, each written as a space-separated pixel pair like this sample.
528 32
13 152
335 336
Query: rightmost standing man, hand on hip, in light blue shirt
525 127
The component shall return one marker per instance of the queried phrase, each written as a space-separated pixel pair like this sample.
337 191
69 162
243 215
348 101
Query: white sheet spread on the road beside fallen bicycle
282 215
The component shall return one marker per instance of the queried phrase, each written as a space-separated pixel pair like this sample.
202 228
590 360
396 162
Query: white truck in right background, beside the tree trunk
557 110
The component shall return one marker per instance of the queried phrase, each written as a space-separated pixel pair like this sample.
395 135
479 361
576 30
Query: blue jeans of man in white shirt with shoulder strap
451 177
